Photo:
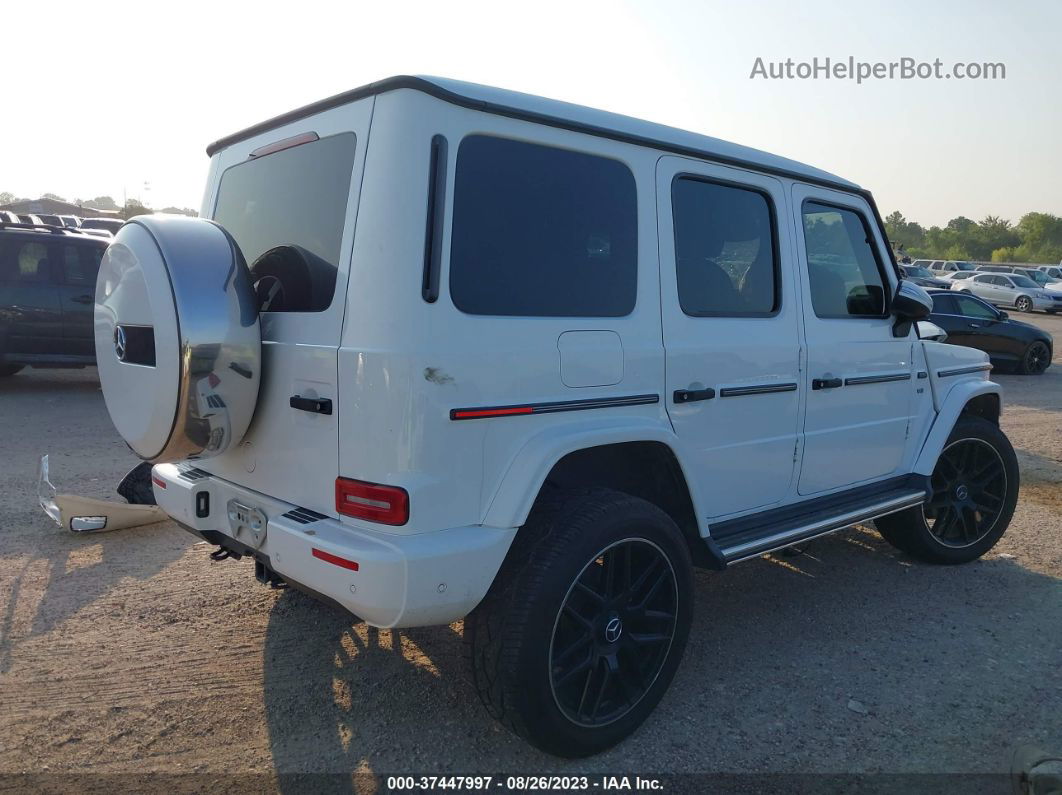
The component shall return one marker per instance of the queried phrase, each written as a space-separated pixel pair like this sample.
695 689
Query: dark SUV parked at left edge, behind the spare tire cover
47 289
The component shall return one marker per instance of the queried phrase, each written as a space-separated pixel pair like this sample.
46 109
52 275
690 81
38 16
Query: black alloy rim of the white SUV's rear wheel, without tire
613 633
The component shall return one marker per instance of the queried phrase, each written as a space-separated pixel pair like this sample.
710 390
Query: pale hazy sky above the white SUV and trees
123 101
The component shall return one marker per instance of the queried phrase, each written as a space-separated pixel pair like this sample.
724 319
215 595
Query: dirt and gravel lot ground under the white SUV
132 652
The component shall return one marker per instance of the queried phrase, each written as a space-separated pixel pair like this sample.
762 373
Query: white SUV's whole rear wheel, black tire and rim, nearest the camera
586 625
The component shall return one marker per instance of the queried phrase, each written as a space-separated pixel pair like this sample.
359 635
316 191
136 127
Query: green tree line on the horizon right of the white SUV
1036 238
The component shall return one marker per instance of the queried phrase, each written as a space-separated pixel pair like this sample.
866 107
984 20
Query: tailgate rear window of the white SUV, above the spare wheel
287 211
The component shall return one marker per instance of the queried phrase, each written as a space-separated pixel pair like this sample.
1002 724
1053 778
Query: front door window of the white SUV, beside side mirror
844 270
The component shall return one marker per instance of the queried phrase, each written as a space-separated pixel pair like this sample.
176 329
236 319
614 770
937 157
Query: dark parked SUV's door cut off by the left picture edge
31 322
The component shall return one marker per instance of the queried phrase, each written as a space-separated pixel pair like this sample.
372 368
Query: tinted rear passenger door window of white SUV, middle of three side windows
725 251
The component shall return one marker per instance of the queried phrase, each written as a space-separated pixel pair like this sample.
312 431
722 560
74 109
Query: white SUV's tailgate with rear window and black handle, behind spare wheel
289 199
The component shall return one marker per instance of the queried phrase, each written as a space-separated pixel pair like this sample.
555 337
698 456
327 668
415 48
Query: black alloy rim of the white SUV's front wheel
969 493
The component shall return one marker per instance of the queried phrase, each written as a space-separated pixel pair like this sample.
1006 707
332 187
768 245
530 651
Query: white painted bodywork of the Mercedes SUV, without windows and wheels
396 368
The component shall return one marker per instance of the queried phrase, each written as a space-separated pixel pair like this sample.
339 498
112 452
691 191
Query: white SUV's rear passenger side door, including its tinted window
732 332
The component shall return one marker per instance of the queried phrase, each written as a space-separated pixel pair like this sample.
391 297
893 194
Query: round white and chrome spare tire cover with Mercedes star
178 341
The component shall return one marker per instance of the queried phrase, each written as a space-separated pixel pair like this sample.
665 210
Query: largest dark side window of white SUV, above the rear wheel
542 232
